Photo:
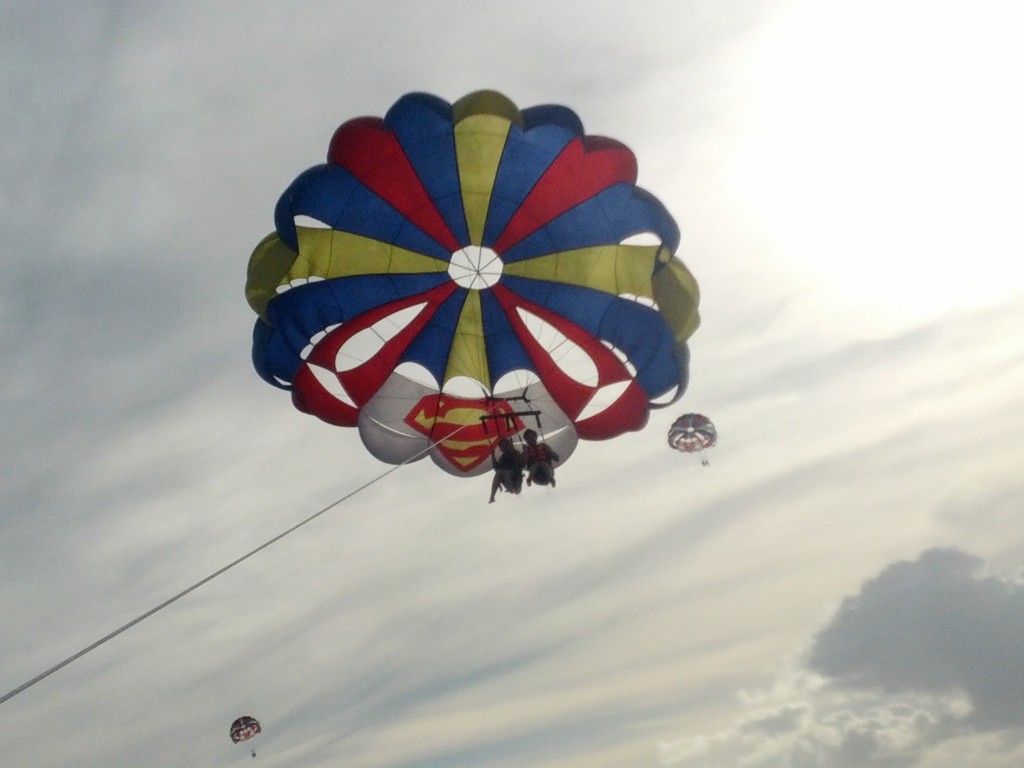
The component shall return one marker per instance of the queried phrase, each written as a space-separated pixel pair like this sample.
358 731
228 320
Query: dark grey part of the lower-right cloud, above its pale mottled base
933 626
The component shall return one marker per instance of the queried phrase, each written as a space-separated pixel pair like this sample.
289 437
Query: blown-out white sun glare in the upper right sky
885 155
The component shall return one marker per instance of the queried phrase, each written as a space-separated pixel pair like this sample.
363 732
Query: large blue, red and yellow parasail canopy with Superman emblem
458 273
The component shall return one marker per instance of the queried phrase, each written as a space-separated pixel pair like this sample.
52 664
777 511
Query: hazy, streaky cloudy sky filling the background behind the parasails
843 586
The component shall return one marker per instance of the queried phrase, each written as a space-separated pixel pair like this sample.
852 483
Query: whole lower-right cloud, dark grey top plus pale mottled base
922 667
